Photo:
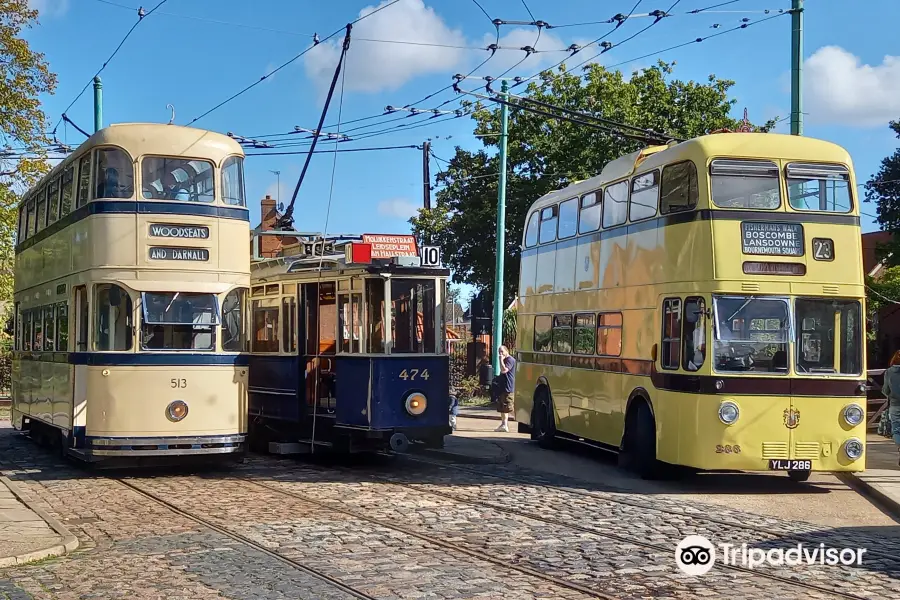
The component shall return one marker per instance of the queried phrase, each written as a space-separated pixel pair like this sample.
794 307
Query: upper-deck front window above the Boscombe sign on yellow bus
745 184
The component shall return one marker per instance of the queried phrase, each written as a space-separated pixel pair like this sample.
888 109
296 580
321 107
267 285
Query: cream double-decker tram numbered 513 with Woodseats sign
130 294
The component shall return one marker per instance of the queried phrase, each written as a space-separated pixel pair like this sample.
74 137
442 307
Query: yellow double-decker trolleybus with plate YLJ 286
700 304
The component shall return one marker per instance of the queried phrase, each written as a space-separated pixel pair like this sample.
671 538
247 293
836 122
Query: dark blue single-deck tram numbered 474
348 349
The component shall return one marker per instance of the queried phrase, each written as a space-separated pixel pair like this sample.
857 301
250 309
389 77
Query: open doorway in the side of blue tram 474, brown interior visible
320 319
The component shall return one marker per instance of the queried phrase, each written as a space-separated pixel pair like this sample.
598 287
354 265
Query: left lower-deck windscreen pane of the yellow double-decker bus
751 334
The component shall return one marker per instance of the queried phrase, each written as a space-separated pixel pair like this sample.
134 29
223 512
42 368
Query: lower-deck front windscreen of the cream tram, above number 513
179 321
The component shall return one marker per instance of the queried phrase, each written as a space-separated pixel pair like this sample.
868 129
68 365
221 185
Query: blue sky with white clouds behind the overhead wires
195 53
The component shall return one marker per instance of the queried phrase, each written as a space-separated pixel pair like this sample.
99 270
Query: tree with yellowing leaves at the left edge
24 76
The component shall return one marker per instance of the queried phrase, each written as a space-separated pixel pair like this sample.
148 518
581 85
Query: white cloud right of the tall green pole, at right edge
838 88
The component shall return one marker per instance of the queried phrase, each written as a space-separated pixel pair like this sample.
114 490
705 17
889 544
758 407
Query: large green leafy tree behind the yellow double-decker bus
545 154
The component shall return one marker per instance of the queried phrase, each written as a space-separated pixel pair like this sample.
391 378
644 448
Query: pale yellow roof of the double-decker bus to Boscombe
735 145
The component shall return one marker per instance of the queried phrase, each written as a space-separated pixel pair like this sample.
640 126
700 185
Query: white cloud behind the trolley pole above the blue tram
373 66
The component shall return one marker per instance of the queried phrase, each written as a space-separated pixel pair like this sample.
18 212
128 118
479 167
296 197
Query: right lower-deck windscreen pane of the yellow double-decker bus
829 338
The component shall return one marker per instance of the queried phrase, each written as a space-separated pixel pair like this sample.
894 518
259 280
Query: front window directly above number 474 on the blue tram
413 308
